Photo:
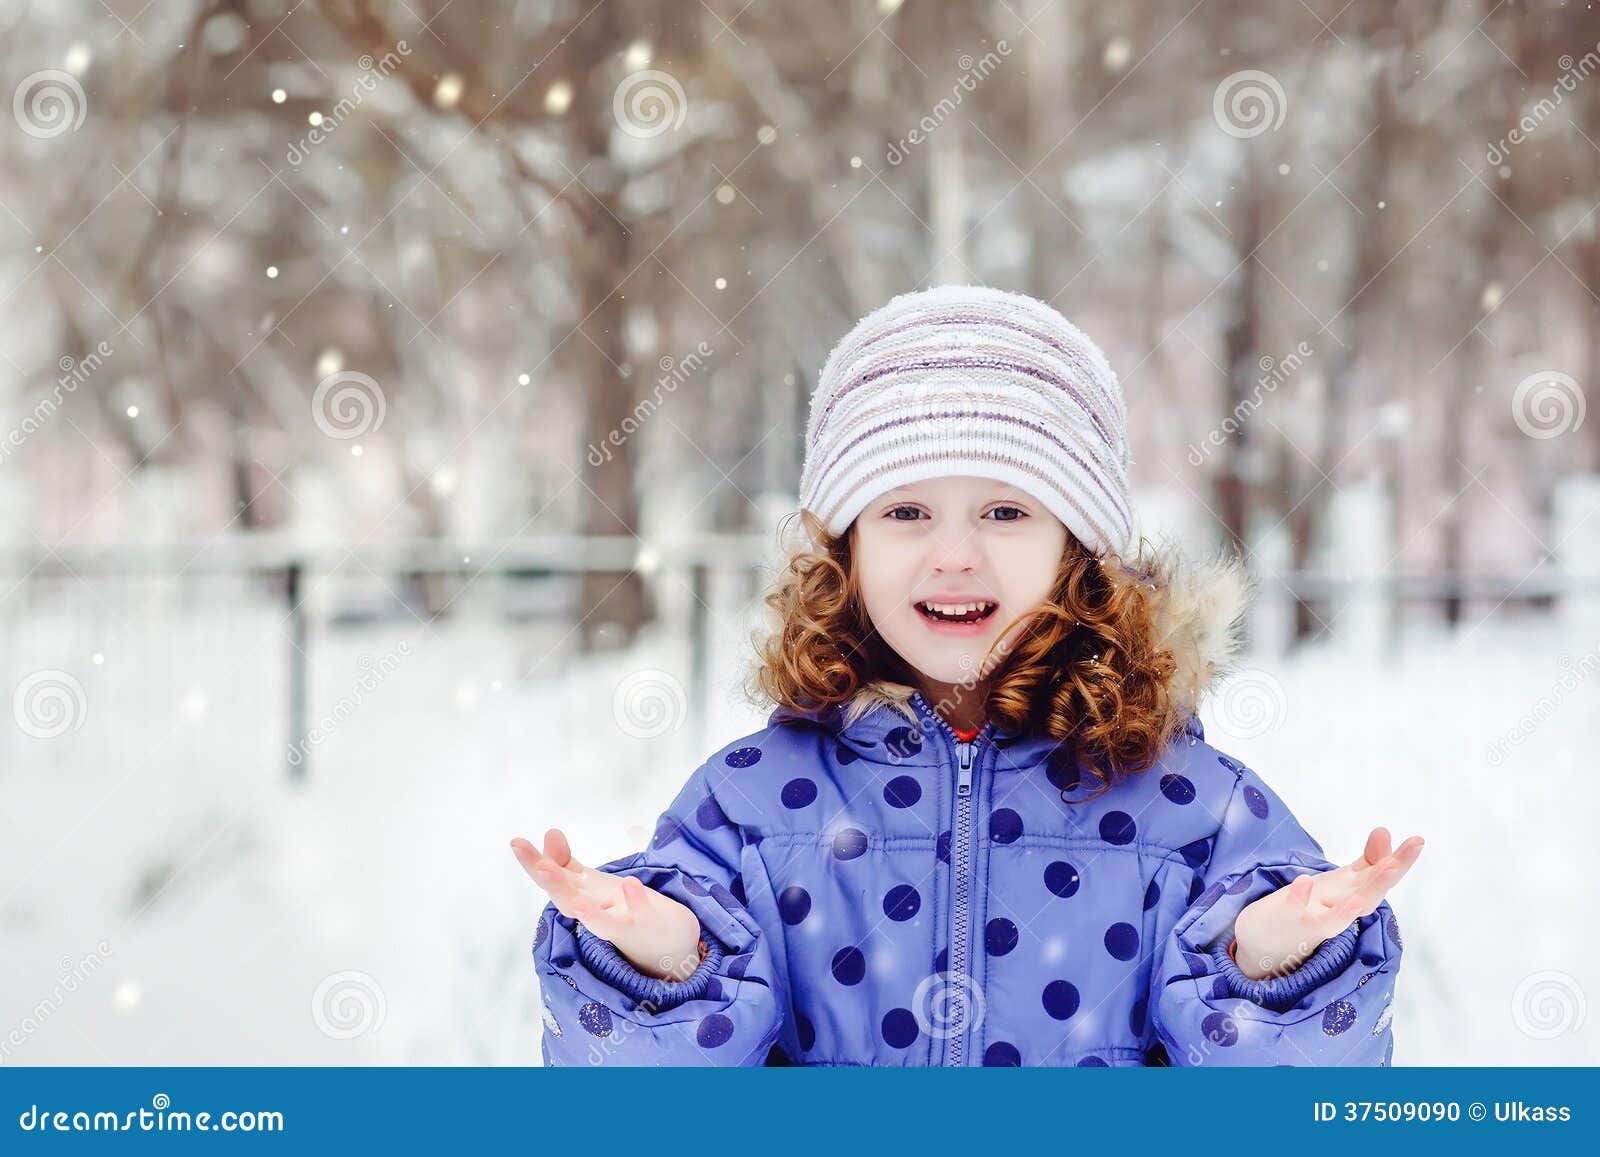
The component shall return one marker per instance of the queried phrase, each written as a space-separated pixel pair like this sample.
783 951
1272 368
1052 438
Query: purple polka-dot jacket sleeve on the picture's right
1334 1011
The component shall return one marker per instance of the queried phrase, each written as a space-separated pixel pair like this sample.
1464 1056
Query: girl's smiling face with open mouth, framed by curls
954 542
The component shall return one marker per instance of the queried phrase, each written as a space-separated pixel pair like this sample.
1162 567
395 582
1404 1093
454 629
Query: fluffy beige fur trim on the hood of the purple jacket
1198 607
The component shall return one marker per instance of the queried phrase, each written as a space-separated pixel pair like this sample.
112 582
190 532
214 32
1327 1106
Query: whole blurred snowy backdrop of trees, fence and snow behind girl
399 399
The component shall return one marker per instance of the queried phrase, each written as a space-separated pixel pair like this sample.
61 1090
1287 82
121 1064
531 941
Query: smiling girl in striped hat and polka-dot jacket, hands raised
983 825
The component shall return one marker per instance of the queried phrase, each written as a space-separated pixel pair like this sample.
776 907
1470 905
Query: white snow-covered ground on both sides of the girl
377 916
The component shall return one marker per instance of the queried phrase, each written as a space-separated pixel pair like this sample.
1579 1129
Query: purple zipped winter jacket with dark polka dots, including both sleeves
889 895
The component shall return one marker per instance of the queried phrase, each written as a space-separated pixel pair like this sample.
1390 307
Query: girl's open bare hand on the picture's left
657 934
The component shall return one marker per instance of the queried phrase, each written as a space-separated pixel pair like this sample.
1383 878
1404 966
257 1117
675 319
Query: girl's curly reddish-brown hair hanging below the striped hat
1086 670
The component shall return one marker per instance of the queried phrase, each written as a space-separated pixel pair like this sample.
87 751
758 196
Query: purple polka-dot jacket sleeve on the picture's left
601 1011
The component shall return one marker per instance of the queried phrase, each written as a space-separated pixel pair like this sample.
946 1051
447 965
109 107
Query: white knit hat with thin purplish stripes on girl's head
980 382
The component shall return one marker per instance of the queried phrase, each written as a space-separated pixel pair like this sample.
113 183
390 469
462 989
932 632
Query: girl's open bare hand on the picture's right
1284 929
